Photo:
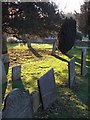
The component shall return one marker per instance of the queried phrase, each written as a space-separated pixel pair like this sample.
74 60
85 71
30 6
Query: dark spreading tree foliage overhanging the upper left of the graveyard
37 18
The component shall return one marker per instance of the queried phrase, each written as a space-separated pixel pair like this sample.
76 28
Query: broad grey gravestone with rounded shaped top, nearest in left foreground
18 105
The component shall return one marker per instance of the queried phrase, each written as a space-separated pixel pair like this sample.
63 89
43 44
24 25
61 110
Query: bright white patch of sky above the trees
69 6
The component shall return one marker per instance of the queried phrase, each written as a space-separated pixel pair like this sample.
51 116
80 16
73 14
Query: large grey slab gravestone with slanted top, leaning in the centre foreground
46 85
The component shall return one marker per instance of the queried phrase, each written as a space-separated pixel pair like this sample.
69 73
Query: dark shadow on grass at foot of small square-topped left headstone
18 84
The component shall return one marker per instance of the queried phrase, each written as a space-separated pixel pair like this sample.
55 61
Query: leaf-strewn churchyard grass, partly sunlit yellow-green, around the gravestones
70 103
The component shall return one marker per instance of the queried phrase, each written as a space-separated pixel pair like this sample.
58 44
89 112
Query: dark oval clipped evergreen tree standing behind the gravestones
67 35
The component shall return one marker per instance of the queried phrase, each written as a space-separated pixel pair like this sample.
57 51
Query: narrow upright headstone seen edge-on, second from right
71 71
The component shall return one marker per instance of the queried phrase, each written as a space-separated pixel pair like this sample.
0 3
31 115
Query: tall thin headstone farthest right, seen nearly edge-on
83 62
